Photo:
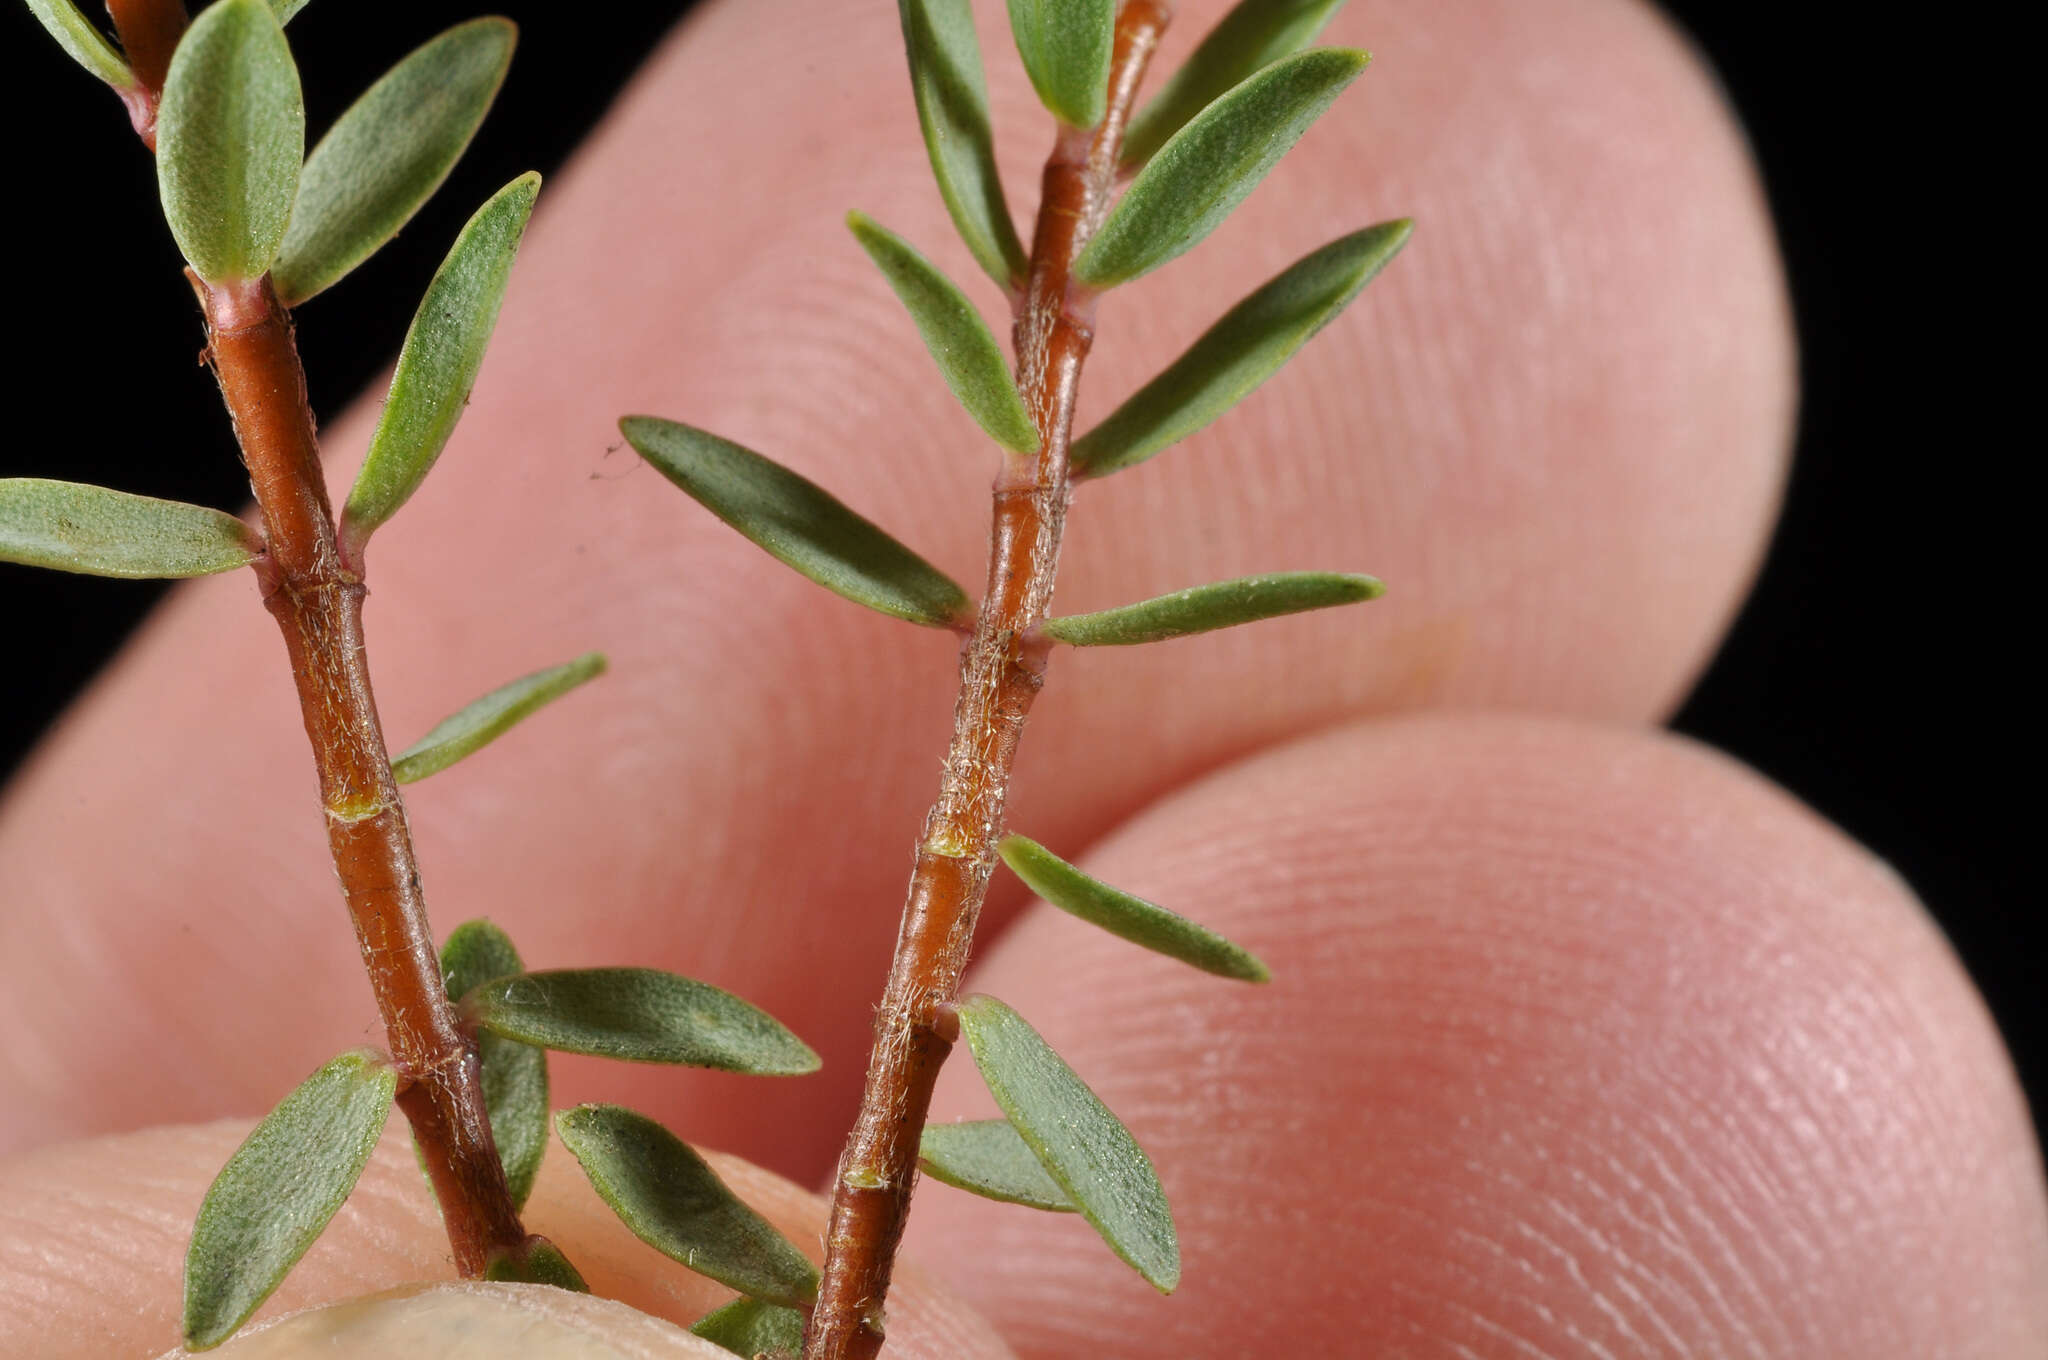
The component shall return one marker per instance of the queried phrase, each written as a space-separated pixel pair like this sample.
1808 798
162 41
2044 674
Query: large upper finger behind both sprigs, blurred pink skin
1555 427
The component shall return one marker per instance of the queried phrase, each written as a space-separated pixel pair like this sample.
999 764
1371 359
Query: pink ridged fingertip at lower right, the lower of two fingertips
1580 1044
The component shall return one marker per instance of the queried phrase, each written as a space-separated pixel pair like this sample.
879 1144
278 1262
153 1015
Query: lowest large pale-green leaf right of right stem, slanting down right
1076 1140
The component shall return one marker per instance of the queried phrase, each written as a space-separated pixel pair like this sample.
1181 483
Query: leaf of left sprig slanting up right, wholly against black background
390 153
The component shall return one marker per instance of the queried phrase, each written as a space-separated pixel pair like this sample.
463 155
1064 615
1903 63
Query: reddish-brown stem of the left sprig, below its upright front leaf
318 605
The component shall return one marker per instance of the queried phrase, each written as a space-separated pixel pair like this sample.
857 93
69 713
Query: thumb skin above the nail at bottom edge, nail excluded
93 1246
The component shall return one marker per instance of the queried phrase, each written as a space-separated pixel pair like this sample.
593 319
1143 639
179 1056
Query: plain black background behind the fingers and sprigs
1873 671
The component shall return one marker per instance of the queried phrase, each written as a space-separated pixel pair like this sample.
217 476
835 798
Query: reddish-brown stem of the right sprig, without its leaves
1002 669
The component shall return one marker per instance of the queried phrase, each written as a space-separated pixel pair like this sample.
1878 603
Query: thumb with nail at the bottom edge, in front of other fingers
93 1244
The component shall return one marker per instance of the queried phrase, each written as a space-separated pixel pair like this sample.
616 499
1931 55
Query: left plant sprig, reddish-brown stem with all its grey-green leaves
265 228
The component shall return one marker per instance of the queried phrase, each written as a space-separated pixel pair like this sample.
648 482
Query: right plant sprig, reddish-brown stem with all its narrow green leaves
1250 91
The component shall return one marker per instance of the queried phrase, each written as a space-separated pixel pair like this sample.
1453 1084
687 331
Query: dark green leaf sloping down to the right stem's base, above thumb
679 1205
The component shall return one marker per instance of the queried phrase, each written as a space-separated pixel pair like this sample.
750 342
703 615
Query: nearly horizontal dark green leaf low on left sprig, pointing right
640 1017
